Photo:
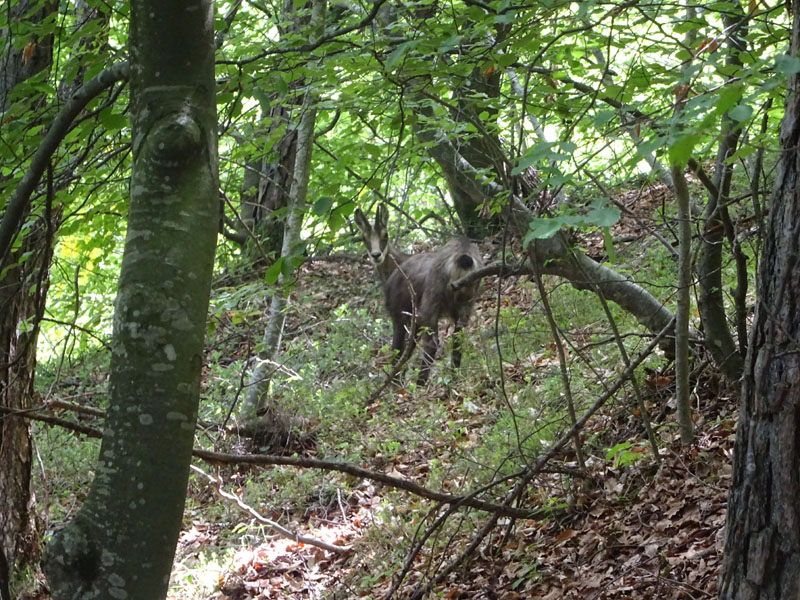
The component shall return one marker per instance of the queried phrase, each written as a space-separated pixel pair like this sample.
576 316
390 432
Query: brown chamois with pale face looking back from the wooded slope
418 289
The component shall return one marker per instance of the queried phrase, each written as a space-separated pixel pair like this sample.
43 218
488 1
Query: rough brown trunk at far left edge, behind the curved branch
22 291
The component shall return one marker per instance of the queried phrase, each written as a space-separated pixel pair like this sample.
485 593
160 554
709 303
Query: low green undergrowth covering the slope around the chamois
464 429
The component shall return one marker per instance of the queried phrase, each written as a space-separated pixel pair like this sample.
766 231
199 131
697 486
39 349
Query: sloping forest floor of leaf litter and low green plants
625 527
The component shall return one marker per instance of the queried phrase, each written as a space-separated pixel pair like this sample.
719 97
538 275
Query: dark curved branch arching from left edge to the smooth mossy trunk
15 208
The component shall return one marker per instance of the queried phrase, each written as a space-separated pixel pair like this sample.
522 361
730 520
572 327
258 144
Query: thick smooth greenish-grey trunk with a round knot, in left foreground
121 543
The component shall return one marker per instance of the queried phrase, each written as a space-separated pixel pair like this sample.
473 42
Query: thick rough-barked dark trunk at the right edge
762 546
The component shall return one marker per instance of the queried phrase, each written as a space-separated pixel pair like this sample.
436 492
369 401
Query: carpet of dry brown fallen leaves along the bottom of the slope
634 532
